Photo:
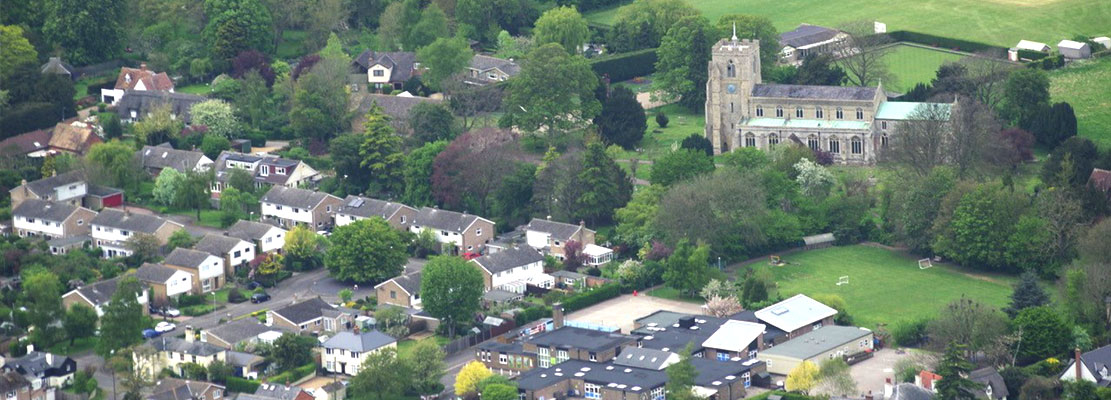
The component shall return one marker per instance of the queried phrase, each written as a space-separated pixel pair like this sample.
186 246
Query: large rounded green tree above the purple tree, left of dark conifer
554 93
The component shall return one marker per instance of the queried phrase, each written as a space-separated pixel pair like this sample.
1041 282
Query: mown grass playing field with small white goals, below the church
885 286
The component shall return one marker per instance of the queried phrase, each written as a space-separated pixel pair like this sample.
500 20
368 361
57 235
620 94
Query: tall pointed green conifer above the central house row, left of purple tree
382 152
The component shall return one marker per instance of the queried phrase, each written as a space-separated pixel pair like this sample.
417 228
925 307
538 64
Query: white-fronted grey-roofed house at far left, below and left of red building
51 221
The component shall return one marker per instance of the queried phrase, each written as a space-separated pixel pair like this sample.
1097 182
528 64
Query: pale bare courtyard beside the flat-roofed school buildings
624 311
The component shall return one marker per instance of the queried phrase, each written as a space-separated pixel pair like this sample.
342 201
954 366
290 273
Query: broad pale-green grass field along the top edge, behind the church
1002 23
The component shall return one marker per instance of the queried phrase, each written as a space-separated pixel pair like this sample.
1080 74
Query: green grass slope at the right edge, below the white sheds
1088 88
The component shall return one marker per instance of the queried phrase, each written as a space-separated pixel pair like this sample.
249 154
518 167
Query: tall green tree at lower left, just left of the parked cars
122 325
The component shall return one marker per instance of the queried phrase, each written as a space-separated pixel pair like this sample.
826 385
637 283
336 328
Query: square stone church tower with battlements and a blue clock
735 69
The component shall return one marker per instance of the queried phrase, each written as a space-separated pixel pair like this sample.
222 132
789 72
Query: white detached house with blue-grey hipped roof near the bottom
346 352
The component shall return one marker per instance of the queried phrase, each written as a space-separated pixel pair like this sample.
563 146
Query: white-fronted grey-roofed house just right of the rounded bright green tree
514 269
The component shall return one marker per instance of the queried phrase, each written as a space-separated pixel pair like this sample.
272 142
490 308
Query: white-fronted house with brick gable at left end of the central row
291 207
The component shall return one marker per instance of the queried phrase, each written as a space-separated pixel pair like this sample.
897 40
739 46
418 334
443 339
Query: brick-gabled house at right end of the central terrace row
462 232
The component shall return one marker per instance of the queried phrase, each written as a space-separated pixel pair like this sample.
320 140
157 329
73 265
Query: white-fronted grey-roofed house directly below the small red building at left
113 228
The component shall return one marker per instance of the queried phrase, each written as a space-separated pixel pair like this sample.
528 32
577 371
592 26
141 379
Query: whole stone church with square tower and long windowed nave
853 124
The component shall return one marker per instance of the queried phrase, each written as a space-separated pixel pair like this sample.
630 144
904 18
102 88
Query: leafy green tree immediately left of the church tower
682 59
